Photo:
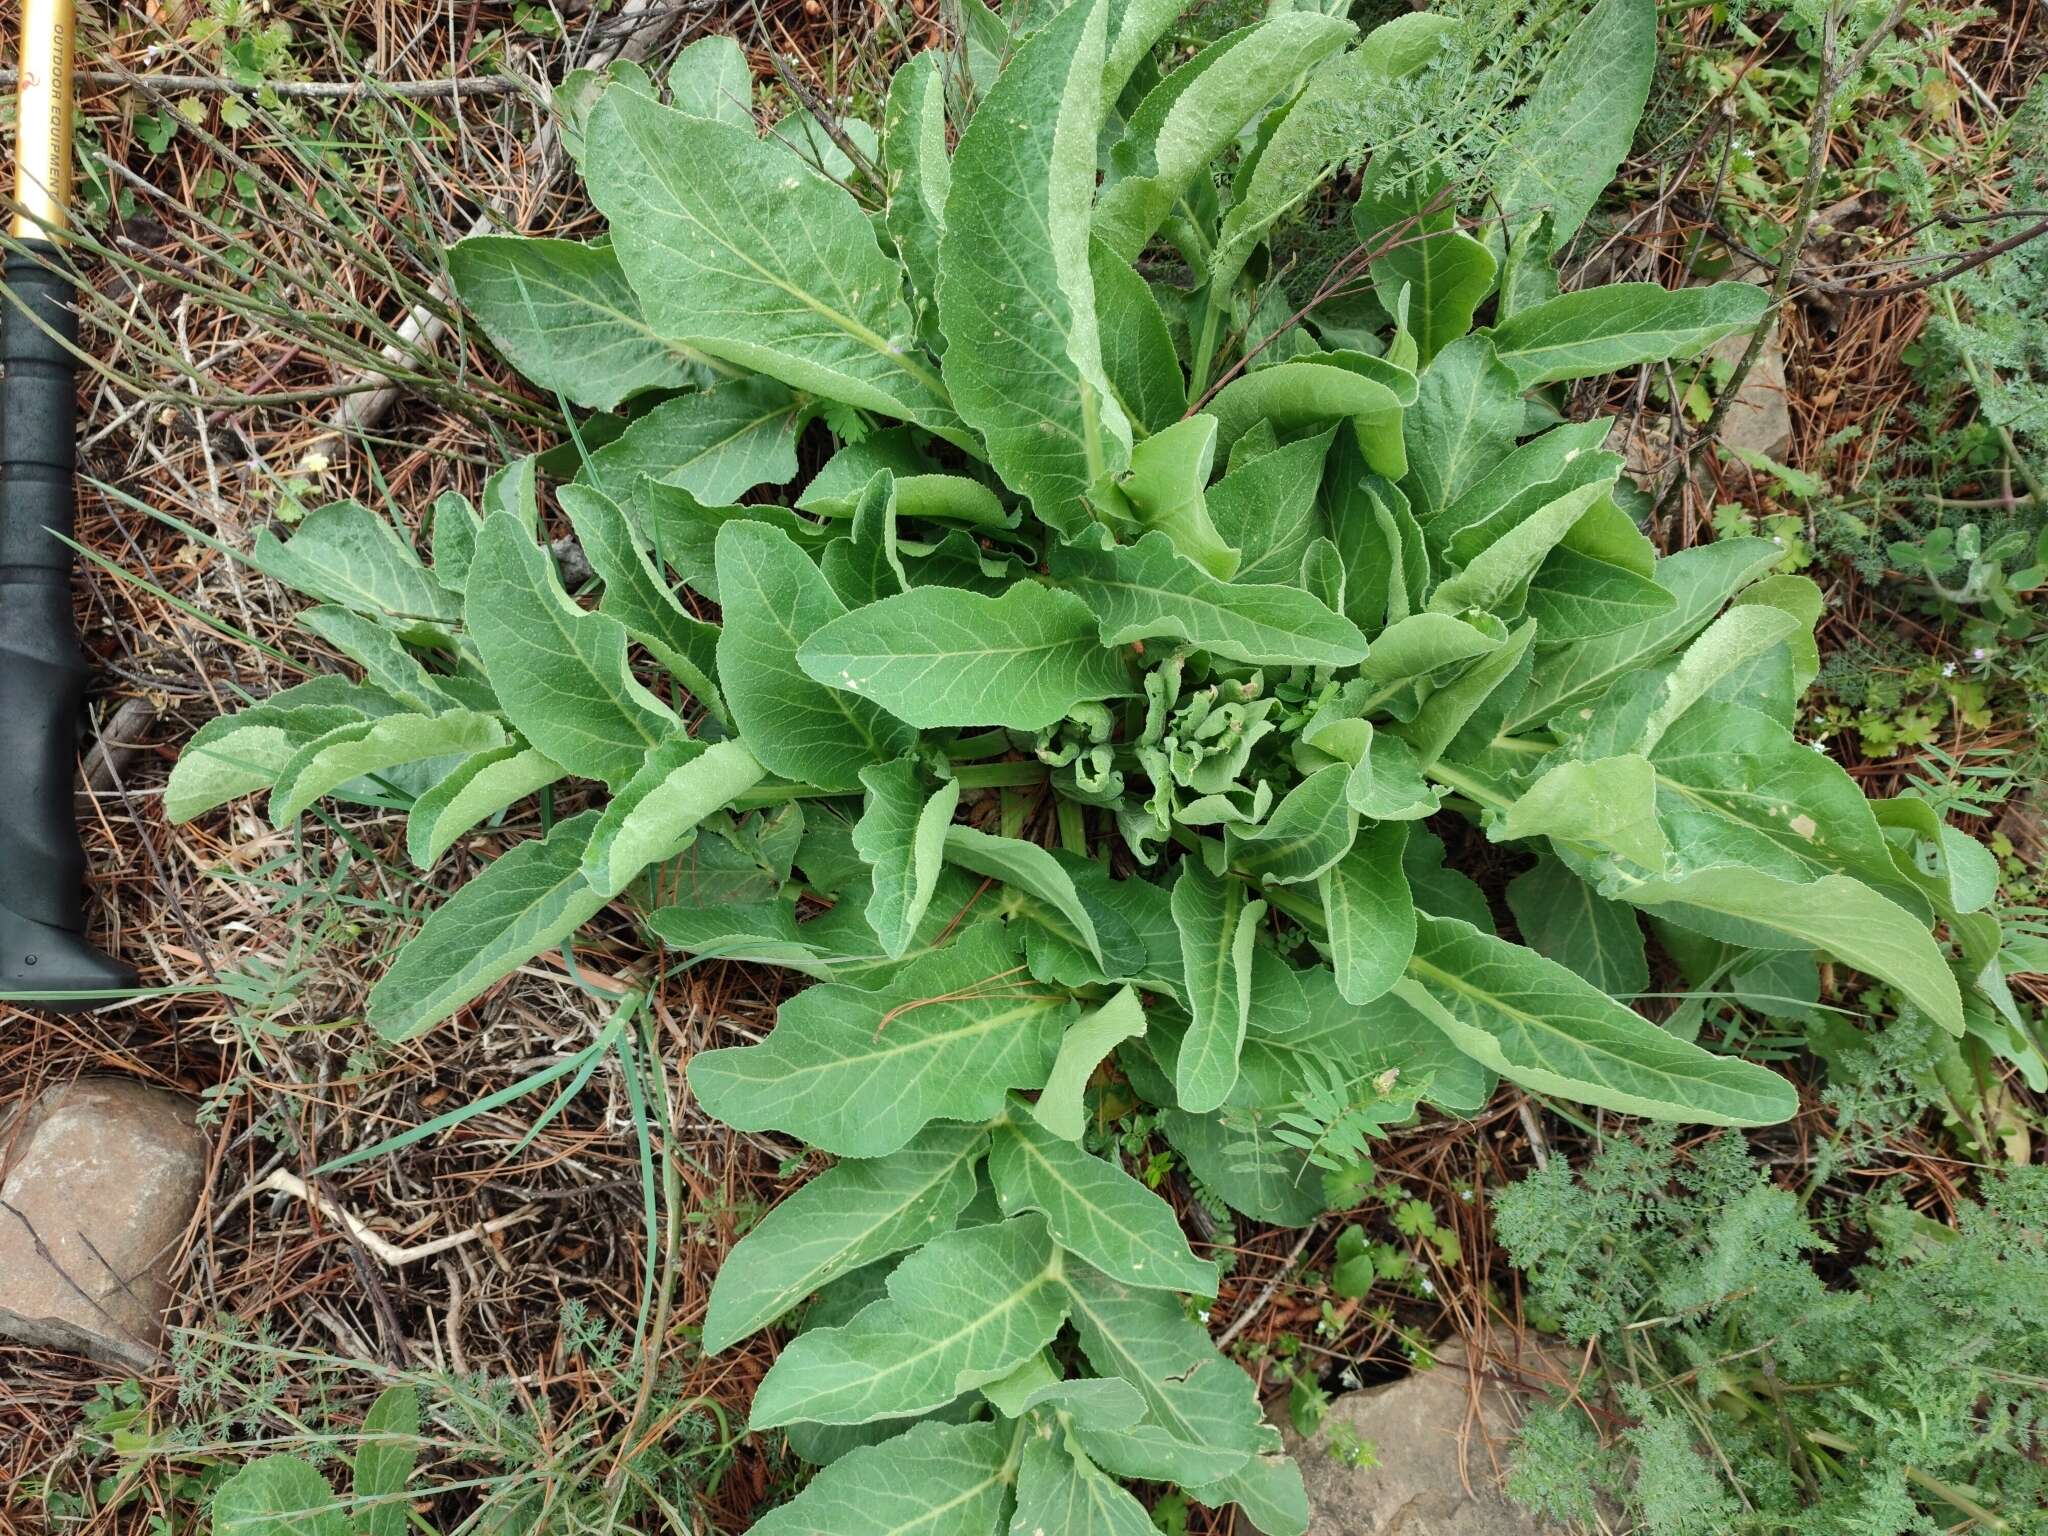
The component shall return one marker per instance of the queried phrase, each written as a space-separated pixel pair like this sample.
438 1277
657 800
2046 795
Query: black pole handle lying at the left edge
42 673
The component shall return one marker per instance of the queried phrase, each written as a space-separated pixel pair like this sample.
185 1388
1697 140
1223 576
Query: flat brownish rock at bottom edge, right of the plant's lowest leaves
1433 1476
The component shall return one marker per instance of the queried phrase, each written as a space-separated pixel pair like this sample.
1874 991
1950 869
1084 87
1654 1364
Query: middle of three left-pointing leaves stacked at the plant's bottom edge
962 1312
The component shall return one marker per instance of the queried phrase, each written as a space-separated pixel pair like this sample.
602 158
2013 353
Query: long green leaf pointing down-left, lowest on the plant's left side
523 902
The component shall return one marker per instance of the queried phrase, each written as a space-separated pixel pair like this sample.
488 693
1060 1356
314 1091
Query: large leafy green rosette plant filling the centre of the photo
1103 697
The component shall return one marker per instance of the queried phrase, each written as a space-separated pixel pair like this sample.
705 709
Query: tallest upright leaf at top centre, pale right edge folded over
1015 290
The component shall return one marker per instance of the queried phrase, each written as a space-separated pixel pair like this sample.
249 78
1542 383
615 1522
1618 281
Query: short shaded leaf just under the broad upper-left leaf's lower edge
716 443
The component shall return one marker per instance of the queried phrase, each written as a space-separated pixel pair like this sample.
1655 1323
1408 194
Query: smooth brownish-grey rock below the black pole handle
97 1187
